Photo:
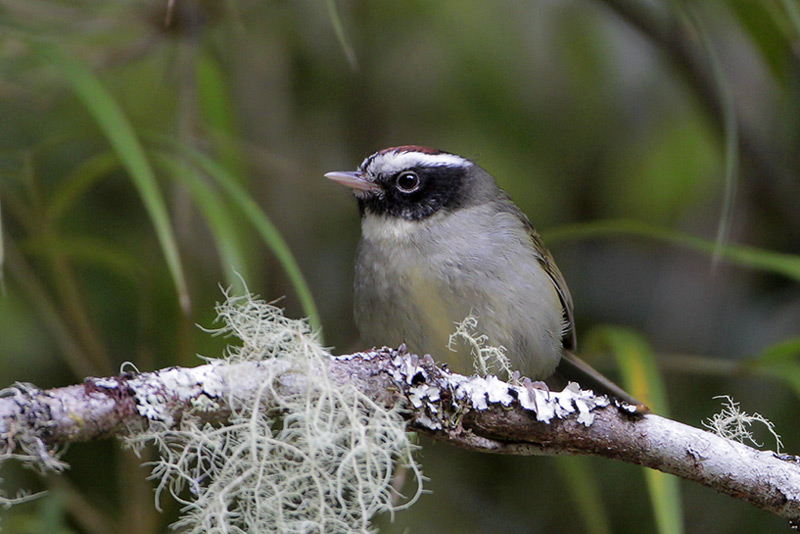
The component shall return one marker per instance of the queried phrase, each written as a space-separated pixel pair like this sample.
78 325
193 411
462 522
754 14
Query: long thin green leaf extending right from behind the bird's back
754 258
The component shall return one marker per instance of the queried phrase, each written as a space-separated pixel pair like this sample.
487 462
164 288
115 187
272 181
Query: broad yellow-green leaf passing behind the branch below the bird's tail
642 378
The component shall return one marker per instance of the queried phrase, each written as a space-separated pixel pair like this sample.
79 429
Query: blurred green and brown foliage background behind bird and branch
150 150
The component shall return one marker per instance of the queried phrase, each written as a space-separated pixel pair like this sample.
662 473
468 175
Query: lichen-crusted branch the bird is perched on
481 414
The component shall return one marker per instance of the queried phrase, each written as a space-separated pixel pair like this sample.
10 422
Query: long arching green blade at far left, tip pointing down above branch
119 132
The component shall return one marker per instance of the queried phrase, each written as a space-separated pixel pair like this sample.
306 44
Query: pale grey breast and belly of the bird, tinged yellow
415 279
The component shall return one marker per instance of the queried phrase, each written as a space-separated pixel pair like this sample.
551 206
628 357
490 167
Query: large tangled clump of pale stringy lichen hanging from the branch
317 461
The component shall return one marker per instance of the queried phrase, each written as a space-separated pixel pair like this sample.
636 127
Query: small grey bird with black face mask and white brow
441 241
